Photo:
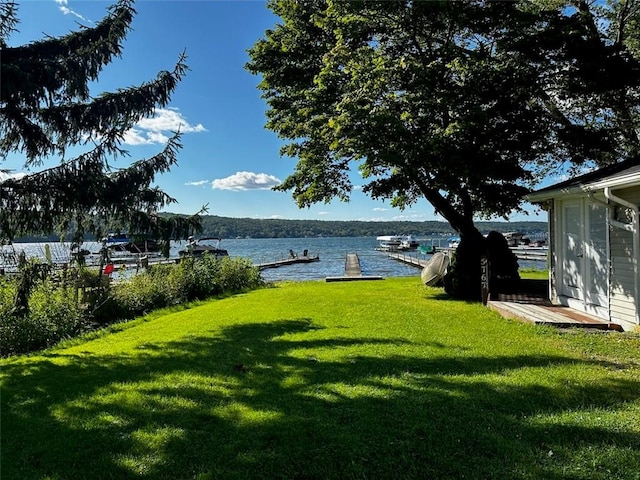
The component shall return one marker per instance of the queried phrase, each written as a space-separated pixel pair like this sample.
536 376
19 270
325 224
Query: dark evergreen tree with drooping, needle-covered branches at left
46 107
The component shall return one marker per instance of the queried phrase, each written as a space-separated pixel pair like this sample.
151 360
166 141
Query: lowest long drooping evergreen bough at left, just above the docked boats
84 187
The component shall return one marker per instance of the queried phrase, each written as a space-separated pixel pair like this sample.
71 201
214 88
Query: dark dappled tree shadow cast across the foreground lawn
256 403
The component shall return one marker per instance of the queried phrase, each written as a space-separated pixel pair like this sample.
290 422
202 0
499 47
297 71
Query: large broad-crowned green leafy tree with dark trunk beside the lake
465 104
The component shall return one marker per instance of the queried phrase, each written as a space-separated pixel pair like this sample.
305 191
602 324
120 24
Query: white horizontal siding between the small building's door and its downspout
623 289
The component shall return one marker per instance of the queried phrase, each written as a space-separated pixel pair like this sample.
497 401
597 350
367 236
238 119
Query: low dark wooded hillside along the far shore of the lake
227 227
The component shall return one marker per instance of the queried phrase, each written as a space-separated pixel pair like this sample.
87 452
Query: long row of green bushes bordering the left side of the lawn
56 312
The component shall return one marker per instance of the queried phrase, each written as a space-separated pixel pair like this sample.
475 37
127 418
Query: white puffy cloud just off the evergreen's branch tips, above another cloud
157 129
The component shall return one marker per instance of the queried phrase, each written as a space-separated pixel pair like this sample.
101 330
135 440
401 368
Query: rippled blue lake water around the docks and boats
332 252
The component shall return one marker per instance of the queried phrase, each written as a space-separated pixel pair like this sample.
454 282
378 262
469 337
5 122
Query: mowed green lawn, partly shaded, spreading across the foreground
314 380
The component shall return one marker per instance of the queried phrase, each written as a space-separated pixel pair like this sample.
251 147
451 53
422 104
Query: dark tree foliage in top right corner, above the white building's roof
589 58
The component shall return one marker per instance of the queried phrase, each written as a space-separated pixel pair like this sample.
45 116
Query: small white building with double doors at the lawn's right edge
594 242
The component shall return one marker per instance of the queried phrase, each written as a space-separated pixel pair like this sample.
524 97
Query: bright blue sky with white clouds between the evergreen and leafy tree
229 160
